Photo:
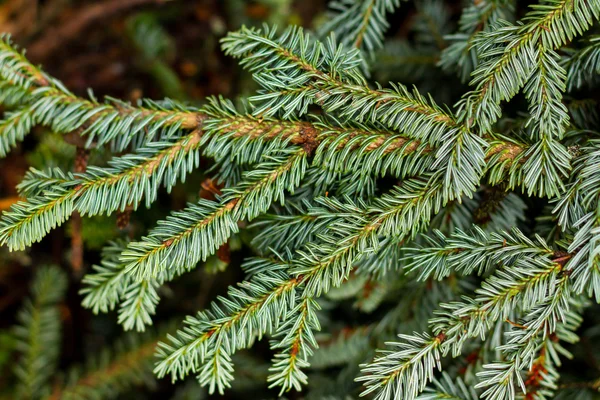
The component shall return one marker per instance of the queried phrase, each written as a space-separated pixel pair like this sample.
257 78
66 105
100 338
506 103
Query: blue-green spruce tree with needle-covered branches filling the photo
352 189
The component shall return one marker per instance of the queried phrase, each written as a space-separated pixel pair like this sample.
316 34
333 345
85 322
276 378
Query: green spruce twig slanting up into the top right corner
509 66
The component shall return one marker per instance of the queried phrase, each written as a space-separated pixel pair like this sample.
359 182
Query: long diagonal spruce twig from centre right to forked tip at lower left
261 311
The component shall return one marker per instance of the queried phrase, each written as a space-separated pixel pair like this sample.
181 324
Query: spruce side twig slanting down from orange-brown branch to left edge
101 190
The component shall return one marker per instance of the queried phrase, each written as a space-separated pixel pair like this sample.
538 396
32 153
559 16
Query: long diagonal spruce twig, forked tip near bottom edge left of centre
317 269
